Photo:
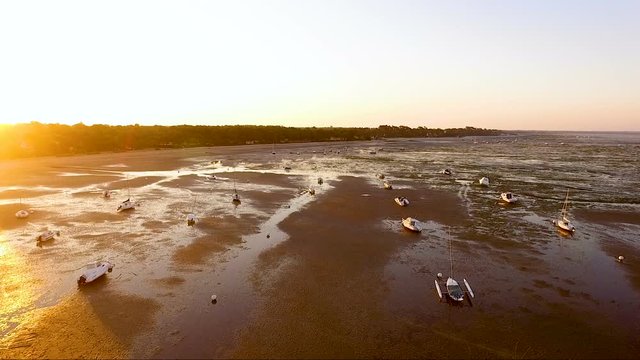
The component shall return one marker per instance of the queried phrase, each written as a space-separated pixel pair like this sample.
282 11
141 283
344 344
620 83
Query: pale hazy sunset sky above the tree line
571 65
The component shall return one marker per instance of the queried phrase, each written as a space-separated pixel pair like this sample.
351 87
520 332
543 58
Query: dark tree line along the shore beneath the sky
36 139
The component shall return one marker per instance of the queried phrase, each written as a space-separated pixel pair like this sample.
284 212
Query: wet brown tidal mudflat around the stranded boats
332 274
